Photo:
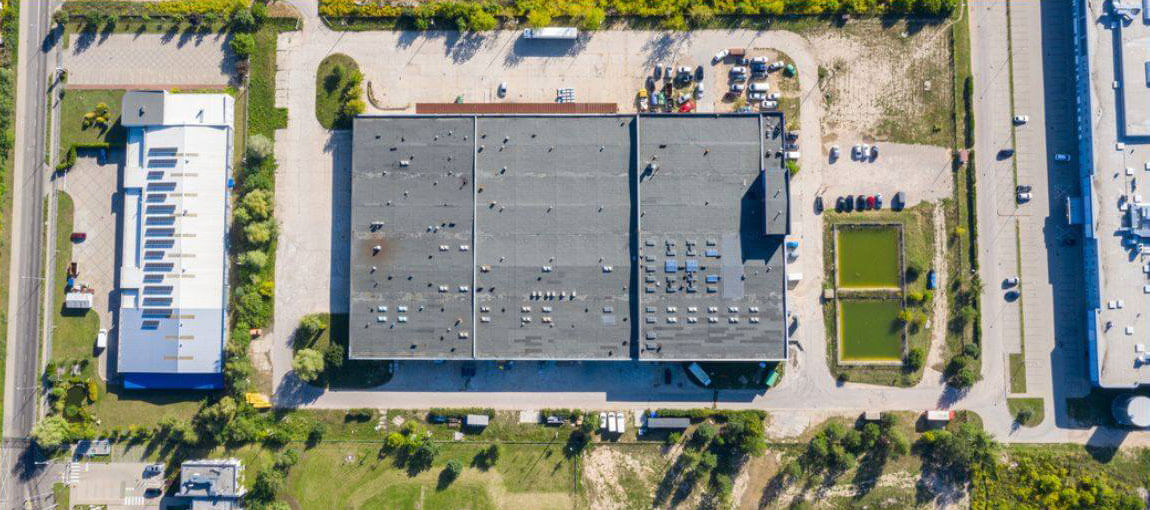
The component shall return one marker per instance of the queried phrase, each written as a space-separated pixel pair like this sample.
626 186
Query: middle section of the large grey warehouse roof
553 233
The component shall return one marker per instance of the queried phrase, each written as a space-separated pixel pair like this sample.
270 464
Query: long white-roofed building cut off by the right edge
1113 75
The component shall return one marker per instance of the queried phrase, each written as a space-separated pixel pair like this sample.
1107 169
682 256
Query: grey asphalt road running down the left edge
18 479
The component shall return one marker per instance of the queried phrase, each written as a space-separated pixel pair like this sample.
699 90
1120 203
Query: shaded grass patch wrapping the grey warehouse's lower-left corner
354 374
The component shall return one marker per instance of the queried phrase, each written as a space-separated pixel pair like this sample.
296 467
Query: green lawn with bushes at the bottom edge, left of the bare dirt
526 476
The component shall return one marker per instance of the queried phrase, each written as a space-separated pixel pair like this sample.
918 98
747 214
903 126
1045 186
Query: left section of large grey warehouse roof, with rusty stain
412 232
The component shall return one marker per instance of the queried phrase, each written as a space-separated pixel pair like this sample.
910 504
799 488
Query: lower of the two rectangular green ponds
869 331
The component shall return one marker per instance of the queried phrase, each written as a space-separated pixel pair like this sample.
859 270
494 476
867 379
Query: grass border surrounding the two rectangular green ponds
918 250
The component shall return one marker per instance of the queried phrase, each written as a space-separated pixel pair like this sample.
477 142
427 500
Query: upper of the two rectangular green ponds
868 257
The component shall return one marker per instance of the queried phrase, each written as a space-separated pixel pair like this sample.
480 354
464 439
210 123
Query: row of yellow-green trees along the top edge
591 16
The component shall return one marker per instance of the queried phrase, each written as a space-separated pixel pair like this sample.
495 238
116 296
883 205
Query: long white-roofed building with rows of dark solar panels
172 317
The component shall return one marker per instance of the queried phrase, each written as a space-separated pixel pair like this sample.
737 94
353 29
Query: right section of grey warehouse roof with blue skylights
712 284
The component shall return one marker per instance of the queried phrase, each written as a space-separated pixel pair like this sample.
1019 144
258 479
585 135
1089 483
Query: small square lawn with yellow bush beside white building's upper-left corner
79 103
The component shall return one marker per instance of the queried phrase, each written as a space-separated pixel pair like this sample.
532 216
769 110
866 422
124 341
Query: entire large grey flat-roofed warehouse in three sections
584 238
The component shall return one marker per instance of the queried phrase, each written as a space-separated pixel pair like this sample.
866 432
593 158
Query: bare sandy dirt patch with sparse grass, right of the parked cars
887 83
